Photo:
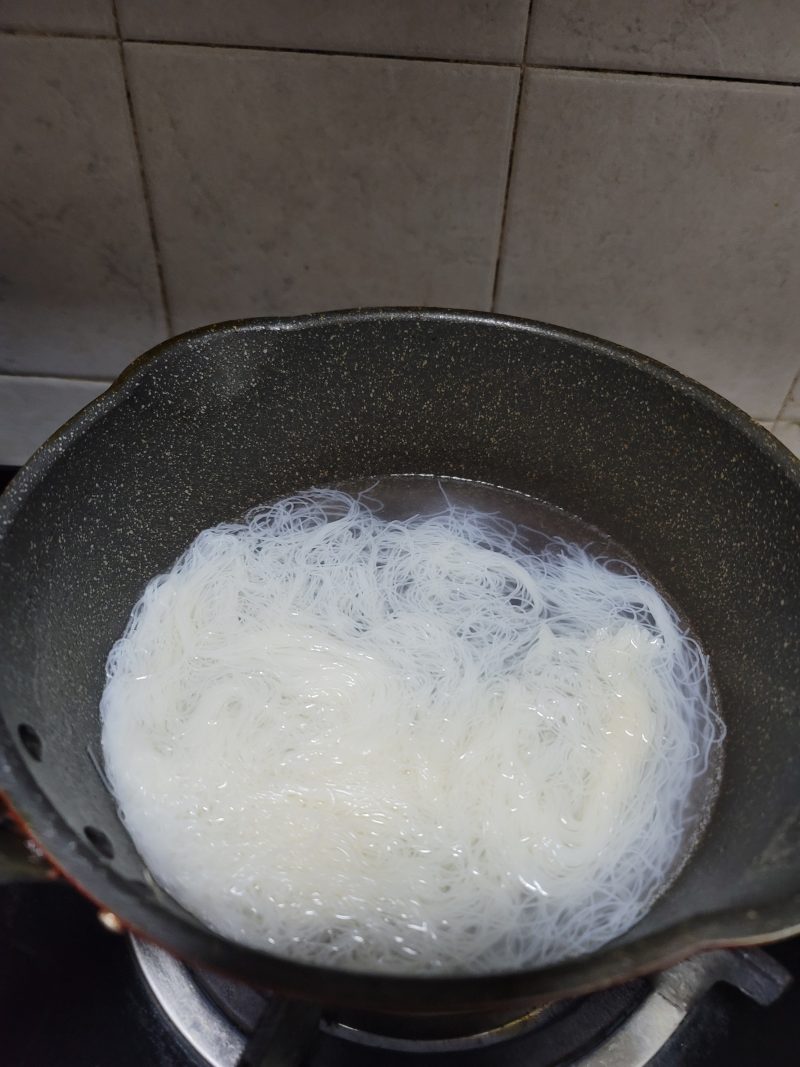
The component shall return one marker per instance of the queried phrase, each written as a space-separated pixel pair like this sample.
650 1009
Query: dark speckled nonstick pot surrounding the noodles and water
226 418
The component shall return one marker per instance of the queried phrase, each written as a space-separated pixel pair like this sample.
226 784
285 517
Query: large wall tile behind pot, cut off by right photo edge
665 215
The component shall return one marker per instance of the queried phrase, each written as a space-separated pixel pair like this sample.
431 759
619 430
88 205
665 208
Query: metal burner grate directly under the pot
231 1025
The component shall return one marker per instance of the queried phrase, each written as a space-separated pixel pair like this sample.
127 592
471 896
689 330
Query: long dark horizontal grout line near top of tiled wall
505 65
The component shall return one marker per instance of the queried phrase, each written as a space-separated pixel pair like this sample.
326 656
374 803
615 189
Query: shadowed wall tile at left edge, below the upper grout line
81 288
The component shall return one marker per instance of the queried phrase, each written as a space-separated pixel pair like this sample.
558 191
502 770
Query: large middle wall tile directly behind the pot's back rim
286 184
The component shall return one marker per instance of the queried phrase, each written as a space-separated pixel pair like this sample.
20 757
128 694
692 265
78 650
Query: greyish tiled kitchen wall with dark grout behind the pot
631 169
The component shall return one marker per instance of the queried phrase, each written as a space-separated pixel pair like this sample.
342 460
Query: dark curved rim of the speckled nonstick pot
138 907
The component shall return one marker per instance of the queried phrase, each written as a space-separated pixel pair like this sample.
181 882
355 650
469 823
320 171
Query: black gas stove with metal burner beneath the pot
74 994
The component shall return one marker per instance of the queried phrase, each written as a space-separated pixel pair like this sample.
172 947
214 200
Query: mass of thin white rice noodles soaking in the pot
410 747
